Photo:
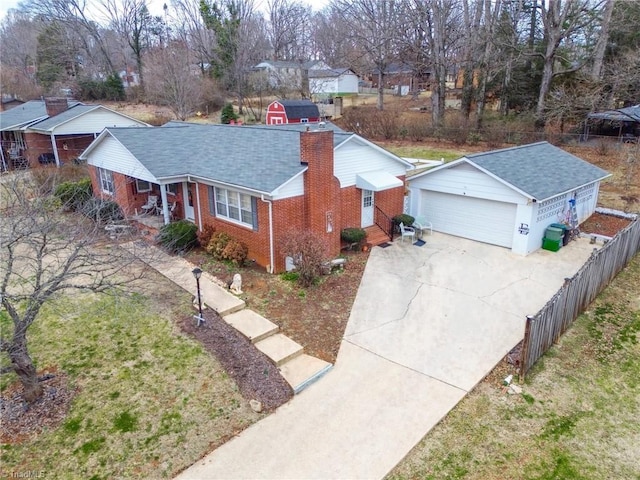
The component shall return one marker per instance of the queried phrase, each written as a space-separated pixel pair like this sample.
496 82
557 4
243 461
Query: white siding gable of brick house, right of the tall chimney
353 158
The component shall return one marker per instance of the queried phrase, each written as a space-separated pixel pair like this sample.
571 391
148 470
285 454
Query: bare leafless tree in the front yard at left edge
46 252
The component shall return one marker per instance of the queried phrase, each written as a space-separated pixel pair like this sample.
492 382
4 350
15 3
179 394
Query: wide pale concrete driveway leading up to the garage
427 325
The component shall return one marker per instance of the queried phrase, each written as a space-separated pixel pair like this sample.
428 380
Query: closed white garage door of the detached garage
483 220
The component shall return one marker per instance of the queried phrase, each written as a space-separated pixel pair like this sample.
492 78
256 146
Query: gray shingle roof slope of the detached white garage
540 170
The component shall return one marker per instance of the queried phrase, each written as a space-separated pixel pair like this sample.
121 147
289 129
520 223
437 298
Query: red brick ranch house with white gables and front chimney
260 184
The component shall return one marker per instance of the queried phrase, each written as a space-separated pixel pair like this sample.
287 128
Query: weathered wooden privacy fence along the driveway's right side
543 329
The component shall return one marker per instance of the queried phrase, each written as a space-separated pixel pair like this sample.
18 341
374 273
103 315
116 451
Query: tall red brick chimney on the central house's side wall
322 189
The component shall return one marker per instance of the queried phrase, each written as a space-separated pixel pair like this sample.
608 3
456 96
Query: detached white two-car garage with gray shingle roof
506 197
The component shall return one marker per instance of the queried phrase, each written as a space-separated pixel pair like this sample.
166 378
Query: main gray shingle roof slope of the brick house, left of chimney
260 159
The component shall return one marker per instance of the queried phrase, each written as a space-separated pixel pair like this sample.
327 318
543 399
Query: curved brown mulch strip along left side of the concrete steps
256 376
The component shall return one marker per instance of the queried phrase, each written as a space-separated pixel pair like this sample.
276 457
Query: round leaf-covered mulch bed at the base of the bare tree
20 421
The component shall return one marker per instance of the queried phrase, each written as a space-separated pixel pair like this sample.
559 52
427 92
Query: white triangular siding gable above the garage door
465 179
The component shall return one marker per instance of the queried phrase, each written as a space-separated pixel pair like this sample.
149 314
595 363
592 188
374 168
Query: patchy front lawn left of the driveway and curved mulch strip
149 401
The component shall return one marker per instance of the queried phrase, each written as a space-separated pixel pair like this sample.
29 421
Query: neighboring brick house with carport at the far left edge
53 131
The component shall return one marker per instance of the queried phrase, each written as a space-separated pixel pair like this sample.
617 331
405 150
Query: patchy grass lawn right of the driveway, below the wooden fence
578 415
